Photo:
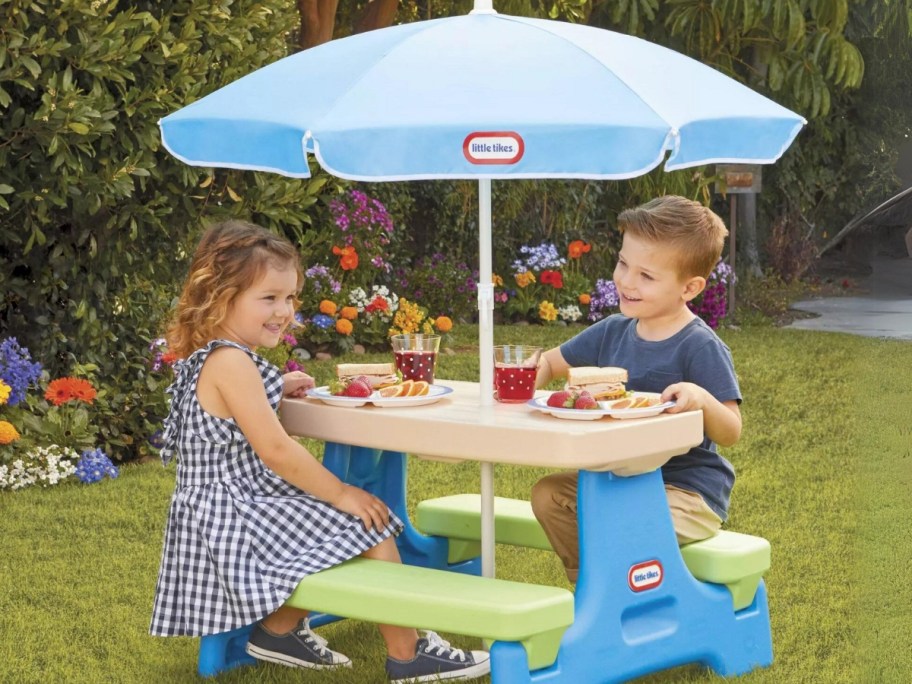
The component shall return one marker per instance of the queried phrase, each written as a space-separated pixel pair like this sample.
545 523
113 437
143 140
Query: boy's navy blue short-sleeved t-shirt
695 354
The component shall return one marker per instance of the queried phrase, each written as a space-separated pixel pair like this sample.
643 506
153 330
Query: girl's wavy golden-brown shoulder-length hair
230 257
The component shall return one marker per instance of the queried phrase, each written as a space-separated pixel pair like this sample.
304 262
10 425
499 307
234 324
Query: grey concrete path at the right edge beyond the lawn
884 311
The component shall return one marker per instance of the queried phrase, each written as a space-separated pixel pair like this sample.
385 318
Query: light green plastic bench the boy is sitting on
735 560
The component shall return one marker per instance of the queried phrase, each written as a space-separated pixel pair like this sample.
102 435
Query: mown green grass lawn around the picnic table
824 472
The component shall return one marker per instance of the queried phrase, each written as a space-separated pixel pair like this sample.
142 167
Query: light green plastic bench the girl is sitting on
494 609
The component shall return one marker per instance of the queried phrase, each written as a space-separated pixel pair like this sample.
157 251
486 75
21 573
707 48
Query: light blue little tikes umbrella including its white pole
484 96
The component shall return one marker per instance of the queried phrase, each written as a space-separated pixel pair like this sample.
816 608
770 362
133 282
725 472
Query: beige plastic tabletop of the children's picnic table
458 427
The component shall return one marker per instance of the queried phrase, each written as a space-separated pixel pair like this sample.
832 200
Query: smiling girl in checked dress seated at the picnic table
253 512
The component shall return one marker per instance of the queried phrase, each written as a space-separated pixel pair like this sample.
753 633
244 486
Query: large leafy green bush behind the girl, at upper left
96 218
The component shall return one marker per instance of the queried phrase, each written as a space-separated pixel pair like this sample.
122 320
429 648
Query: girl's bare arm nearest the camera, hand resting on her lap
230 386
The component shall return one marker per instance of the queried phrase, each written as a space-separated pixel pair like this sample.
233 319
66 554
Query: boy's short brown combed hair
695 231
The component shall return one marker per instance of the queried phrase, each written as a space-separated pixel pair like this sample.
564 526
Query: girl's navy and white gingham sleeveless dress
238 537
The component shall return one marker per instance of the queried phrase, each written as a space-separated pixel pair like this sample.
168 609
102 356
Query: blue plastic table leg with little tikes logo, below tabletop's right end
638 608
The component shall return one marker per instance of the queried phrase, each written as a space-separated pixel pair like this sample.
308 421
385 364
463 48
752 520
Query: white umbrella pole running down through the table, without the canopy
486 375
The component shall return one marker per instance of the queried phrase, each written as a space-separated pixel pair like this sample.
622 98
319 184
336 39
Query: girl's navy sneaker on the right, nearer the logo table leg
435 660
